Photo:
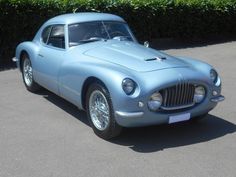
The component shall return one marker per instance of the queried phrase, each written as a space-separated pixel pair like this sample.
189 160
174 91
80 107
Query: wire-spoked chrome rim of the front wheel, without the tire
99 110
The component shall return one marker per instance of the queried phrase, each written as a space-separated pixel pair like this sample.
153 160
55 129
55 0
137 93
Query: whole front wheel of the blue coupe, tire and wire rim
100 112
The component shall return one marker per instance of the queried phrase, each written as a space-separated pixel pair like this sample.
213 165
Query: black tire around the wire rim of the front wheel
113 129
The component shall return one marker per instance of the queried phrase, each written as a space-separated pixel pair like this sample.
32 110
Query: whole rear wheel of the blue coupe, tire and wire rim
27 74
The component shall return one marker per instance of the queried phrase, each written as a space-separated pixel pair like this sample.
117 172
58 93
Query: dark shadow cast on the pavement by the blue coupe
160 137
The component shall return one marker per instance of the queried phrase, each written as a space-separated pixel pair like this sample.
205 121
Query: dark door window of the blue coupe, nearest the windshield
57 37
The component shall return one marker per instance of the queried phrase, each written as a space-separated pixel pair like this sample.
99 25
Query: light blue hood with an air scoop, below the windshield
134 56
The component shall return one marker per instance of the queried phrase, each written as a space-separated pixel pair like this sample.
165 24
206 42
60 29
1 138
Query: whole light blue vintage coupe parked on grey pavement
94 61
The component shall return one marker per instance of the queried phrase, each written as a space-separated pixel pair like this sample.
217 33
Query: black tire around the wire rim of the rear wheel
33 86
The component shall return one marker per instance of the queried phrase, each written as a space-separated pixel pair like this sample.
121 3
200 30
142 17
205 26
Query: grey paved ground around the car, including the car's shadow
44 136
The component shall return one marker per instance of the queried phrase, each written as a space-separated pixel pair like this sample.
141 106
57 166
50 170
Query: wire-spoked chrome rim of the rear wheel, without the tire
28 72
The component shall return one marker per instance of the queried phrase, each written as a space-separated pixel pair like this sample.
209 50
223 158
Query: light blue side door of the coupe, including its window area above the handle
50 56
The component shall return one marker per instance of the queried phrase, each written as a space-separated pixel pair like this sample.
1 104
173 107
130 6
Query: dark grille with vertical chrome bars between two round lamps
178 96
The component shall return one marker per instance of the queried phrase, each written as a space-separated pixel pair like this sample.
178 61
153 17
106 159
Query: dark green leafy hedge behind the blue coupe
20 19
